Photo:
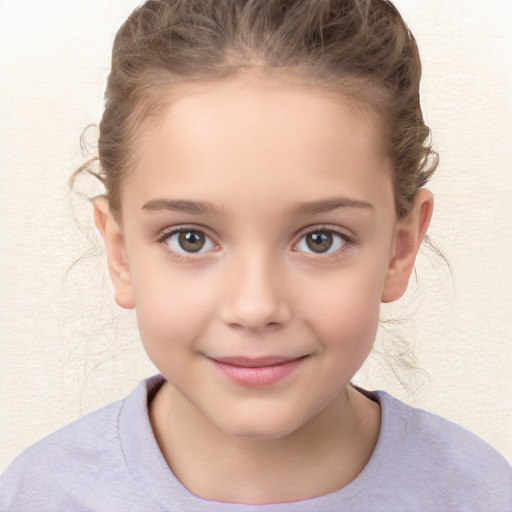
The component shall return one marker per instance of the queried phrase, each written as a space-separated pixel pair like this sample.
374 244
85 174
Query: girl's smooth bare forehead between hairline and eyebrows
259 137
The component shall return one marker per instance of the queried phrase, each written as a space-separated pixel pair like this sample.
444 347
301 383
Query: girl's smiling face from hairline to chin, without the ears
258 227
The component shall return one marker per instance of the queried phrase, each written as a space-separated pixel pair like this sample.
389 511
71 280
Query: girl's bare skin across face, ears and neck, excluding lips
274 160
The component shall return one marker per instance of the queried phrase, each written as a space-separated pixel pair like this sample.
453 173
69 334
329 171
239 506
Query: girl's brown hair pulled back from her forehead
362 48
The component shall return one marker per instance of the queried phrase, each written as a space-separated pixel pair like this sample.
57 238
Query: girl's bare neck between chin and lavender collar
321 456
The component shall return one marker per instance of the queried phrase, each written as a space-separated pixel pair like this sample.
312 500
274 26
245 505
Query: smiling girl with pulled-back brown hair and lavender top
264 165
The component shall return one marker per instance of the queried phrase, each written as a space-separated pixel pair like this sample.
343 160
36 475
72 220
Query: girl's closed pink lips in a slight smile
257 372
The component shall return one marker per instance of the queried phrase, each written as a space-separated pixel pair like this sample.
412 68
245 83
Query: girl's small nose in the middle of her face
254 295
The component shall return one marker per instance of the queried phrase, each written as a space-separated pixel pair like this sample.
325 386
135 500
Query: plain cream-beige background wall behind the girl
66 349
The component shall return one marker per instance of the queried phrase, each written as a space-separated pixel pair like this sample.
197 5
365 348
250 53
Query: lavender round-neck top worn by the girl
110 461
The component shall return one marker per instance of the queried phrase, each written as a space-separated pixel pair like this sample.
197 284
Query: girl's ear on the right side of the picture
408 237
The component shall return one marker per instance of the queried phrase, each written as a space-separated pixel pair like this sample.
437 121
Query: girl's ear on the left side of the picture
115 248
